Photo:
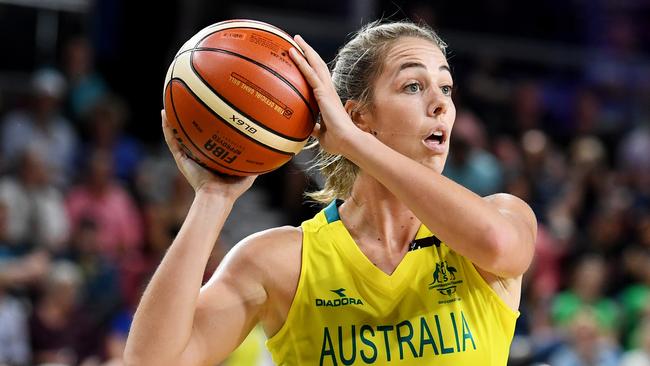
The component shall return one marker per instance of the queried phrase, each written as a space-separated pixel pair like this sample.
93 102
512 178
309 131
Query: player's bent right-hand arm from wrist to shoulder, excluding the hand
496 233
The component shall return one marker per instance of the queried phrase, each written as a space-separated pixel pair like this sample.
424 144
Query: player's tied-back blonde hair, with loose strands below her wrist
356 66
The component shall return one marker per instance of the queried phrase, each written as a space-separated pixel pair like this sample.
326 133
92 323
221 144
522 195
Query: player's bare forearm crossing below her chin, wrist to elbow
463 220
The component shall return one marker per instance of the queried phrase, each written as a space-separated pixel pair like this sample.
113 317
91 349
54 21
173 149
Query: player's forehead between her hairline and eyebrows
411 49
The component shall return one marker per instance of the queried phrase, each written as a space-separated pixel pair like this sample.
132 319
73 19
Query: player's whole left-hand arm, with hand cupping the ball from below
177 322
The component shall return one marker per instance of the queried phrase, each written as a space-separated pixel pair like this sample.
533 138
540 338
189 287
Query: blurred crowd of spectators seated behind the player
87 210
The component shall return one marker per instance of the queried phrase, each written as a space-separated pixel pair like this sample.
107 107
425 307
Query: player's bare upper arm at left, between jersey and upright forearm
227 309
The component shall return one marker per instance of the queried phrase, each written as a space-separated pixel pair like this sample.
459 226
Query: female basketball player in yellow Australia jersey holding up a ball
407 267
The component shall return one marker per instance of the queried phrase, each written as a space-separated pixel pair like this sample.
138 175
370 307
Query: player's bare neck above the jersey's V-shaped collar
374 216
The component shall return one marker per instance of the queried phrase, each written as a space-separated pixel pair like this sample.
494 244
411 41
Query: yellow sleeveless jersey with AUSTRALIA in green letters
434 309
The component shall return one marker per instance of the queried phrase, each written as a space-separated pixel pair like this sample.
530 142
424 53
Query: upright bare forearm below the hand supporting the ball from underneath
163 322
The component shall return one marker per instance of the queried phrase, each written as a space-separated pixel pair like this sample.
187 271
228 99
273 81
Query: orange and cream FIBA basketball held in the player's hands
235 100
